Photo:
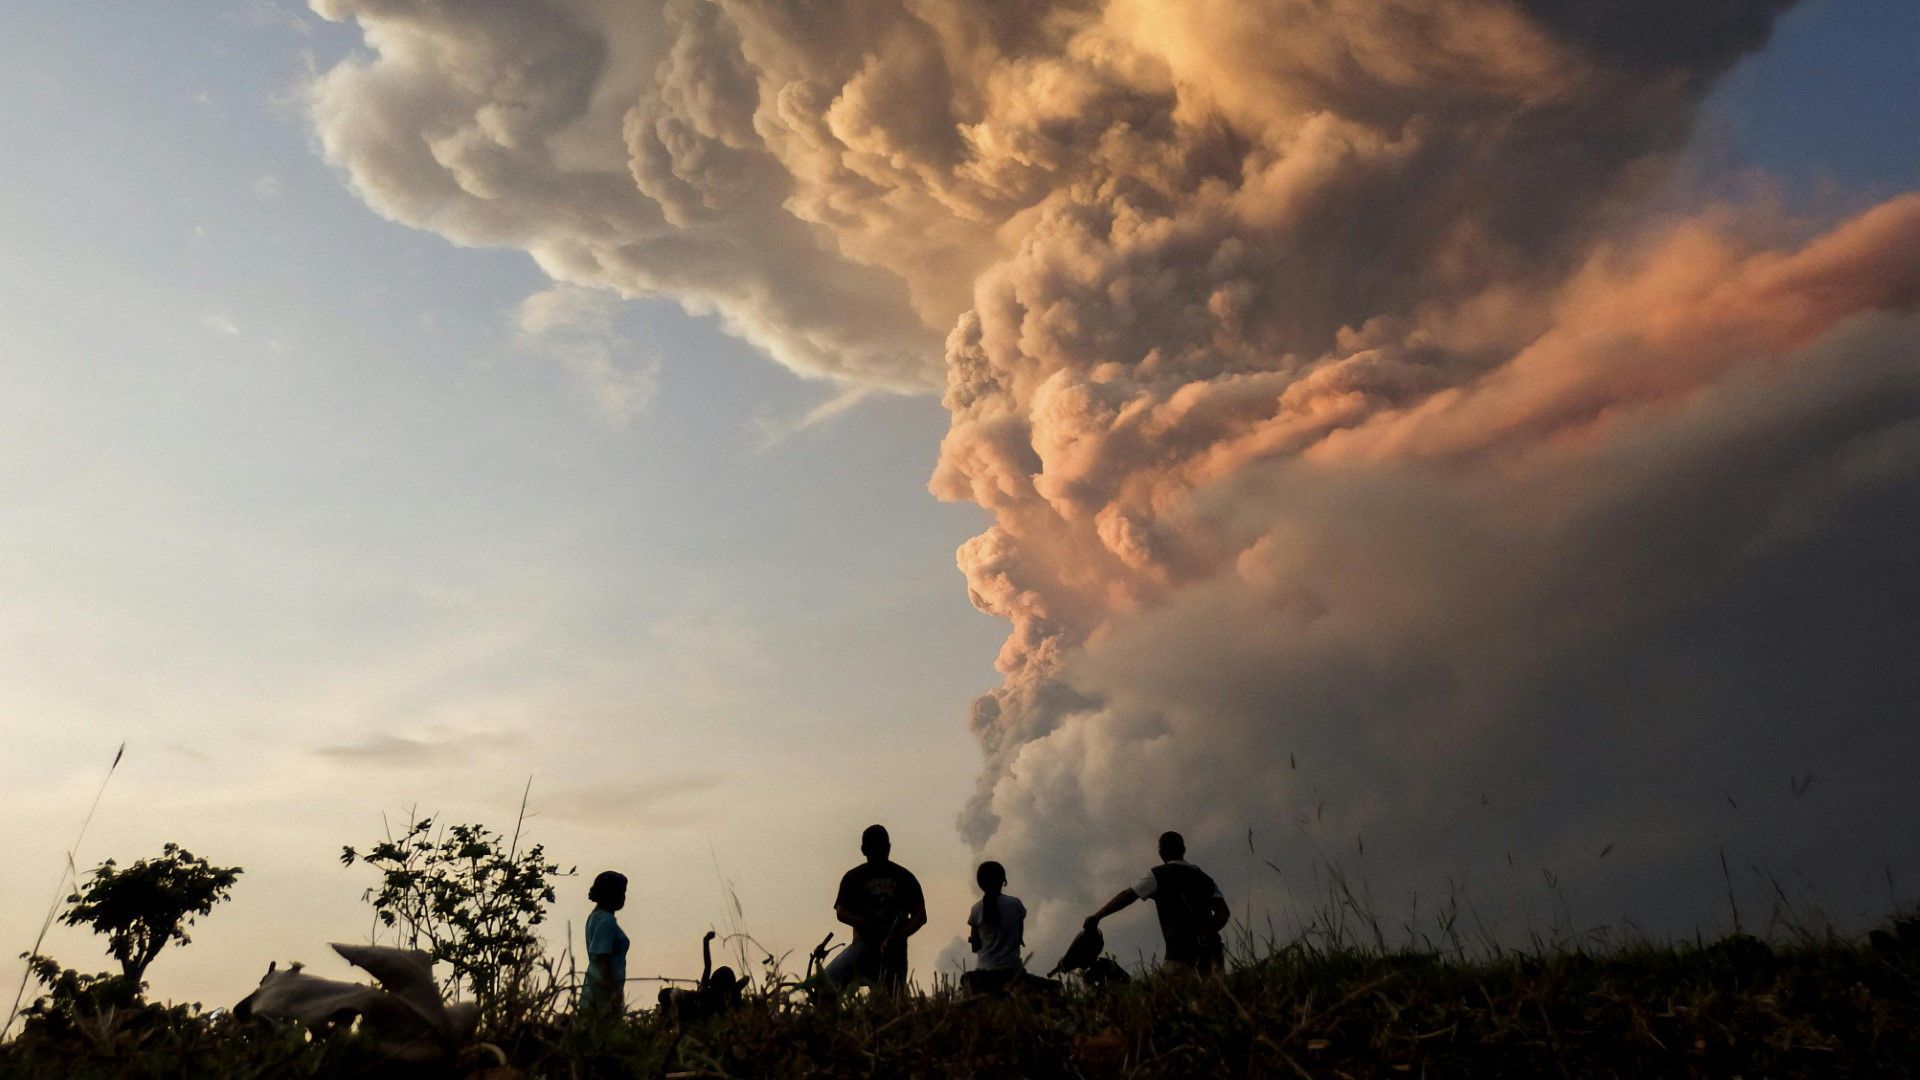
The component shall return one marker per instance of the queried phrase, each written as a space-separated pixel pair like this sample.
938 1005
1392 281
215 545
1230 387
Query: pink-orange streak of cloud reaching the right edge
1654 326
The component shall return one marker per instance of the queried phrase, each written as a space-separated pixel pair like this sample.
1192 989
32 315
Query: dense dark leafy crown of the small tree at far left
149 904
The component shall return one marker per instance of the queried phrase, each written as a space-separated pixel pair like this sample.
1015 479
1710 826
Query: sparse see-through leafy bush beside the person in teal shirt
468 896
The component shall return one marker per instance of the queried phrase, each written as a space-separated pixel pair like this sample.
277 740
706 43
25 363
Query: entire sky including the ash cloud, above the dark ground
370 445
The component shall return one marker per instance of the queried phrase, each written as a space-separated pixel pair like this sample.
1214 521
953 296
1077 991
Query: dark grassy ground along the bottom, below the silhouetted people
1307 1008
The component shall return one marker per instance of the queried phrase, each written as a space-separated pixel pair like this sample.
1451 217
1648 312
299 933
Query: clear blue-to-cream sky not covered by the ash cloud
281 481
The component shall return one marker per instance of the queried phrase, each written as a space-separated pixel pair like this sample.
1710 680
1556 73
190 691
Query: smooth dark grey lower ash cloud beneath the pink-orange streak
1458 668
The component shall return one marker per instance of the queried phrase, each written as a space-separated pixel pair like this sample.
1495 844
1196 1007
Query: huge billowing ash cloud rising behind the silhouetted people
1364 464
